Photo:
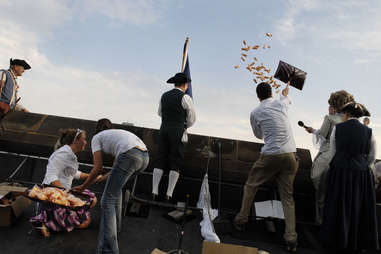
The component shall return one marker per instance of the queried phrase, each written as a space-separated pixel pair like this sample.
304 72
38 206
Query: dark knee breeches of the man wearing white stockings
171 149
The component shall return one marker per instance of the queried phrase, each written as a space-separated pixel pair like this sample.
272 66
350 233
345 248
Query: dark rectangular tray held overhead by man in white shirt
286 72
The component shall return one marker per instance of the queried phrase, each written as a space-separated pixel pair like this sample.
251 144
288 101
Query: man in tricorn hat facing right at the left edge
9 86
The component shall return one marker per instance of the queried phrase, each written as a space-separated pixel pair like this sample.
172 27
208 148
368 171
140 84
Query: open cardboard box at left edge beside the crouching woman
10 212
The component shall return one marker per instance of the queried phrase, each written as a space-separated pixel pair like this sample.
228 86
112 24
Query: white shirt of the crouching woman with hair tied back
62 166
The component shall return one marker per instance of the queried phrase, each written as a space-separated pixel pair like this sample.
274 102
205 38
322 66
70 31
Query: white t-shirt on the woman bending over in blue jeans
115 142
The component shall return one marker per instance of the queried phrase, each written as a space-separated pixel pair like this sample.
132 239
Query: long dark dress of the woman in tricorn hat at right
350 221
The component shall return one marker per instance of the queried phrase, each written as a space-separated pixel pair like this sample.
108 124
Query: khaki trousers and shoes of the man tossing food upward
283 167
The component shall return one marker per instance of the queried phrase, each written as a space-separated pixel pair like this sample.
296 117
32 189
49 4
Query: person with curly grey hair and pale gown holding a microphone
321 139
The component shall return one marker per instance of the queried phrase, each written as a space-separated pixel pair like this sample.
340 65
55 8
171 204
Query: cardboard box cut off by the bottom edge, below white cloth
223 248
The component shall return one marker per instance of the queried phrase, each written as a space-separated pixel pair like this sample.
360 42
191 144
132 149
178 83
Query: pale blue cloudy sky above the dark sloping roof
111 58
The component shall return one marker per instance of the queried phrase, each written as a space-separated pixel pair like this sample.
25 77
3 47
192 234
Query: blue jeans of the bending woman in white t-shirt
128 163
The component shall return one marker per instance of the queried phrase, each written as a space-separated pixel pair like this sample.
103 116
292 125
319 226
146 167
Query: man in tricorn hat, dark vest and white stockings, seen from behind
177 114
